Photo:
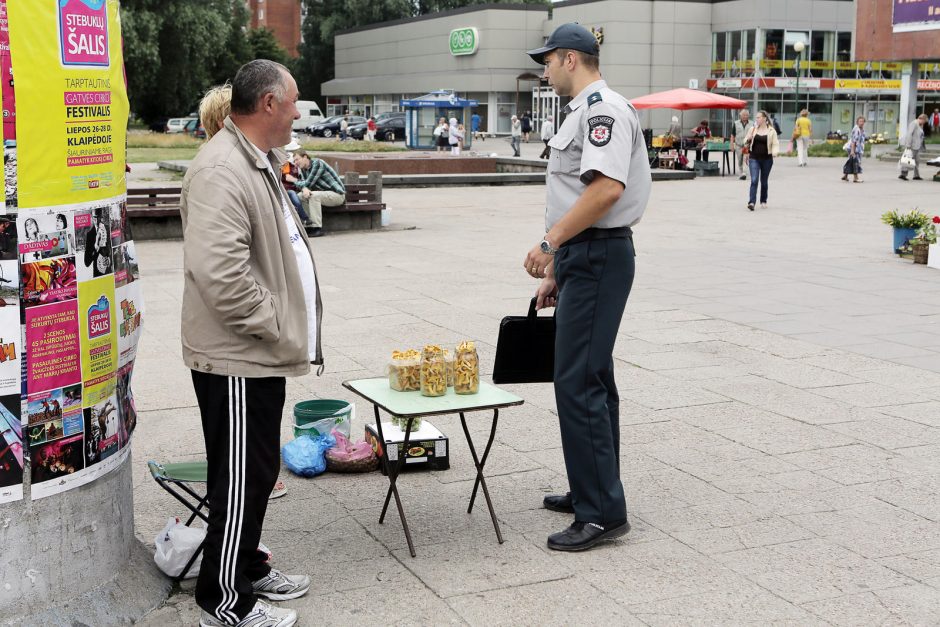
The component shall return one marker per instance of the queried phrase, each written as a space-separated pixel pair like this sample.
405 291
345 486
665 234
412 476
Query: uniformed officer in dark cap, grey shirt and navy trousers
598 183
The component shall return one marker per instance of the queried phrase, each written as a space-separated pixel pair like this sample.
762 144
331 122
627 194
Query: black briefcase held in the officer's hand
525 350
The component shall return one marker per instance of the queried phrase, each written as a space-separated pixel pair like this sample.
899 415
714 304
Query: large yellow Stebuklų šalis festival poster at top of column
72 106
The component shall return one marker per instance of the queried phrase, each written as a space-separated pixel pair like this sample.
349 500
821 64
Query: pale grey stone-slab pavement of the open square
780 376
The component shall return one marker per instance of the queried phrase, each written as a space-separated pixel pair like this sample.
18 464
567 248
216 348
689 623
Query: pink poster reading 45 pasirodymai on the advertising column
52 342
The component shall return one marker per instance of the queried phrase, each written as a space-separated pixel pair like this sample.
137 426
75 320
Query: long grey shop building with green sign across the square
742 48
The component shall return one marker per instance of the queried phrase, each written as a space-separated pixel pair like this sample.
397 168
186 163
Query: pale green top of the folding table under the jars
406 404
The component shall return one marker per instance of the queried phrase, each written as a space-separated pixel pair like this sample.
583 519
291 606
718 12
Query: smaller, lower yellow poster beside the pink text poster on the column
98 338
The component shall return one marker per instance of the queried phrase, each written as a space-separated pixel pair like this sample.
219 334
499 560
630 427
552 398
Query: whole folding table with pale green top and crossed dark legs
411 405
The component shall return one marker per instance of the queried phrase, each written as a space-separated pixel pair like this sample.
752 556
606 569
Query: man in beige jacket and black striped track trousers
251 317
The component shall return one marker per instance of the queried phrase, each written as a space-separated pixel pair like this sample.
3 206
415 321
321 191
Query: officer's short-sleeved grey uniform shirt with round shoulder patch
601 134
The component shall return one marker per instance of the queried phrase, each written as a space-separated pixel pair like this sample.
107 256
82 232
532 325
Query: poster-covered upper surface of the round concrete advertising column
72 307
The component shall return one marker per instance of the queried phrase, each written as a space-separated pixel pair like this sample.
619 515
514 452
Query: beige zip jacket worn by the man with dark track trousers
244 312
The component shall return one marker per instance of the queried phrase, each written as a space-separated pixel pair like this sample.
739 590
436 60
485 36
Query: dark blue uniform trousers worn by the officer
594 280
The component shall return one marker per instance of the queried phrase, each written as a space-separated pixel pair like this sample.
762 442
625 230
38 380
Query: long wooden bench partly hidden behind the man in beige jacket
154 212
